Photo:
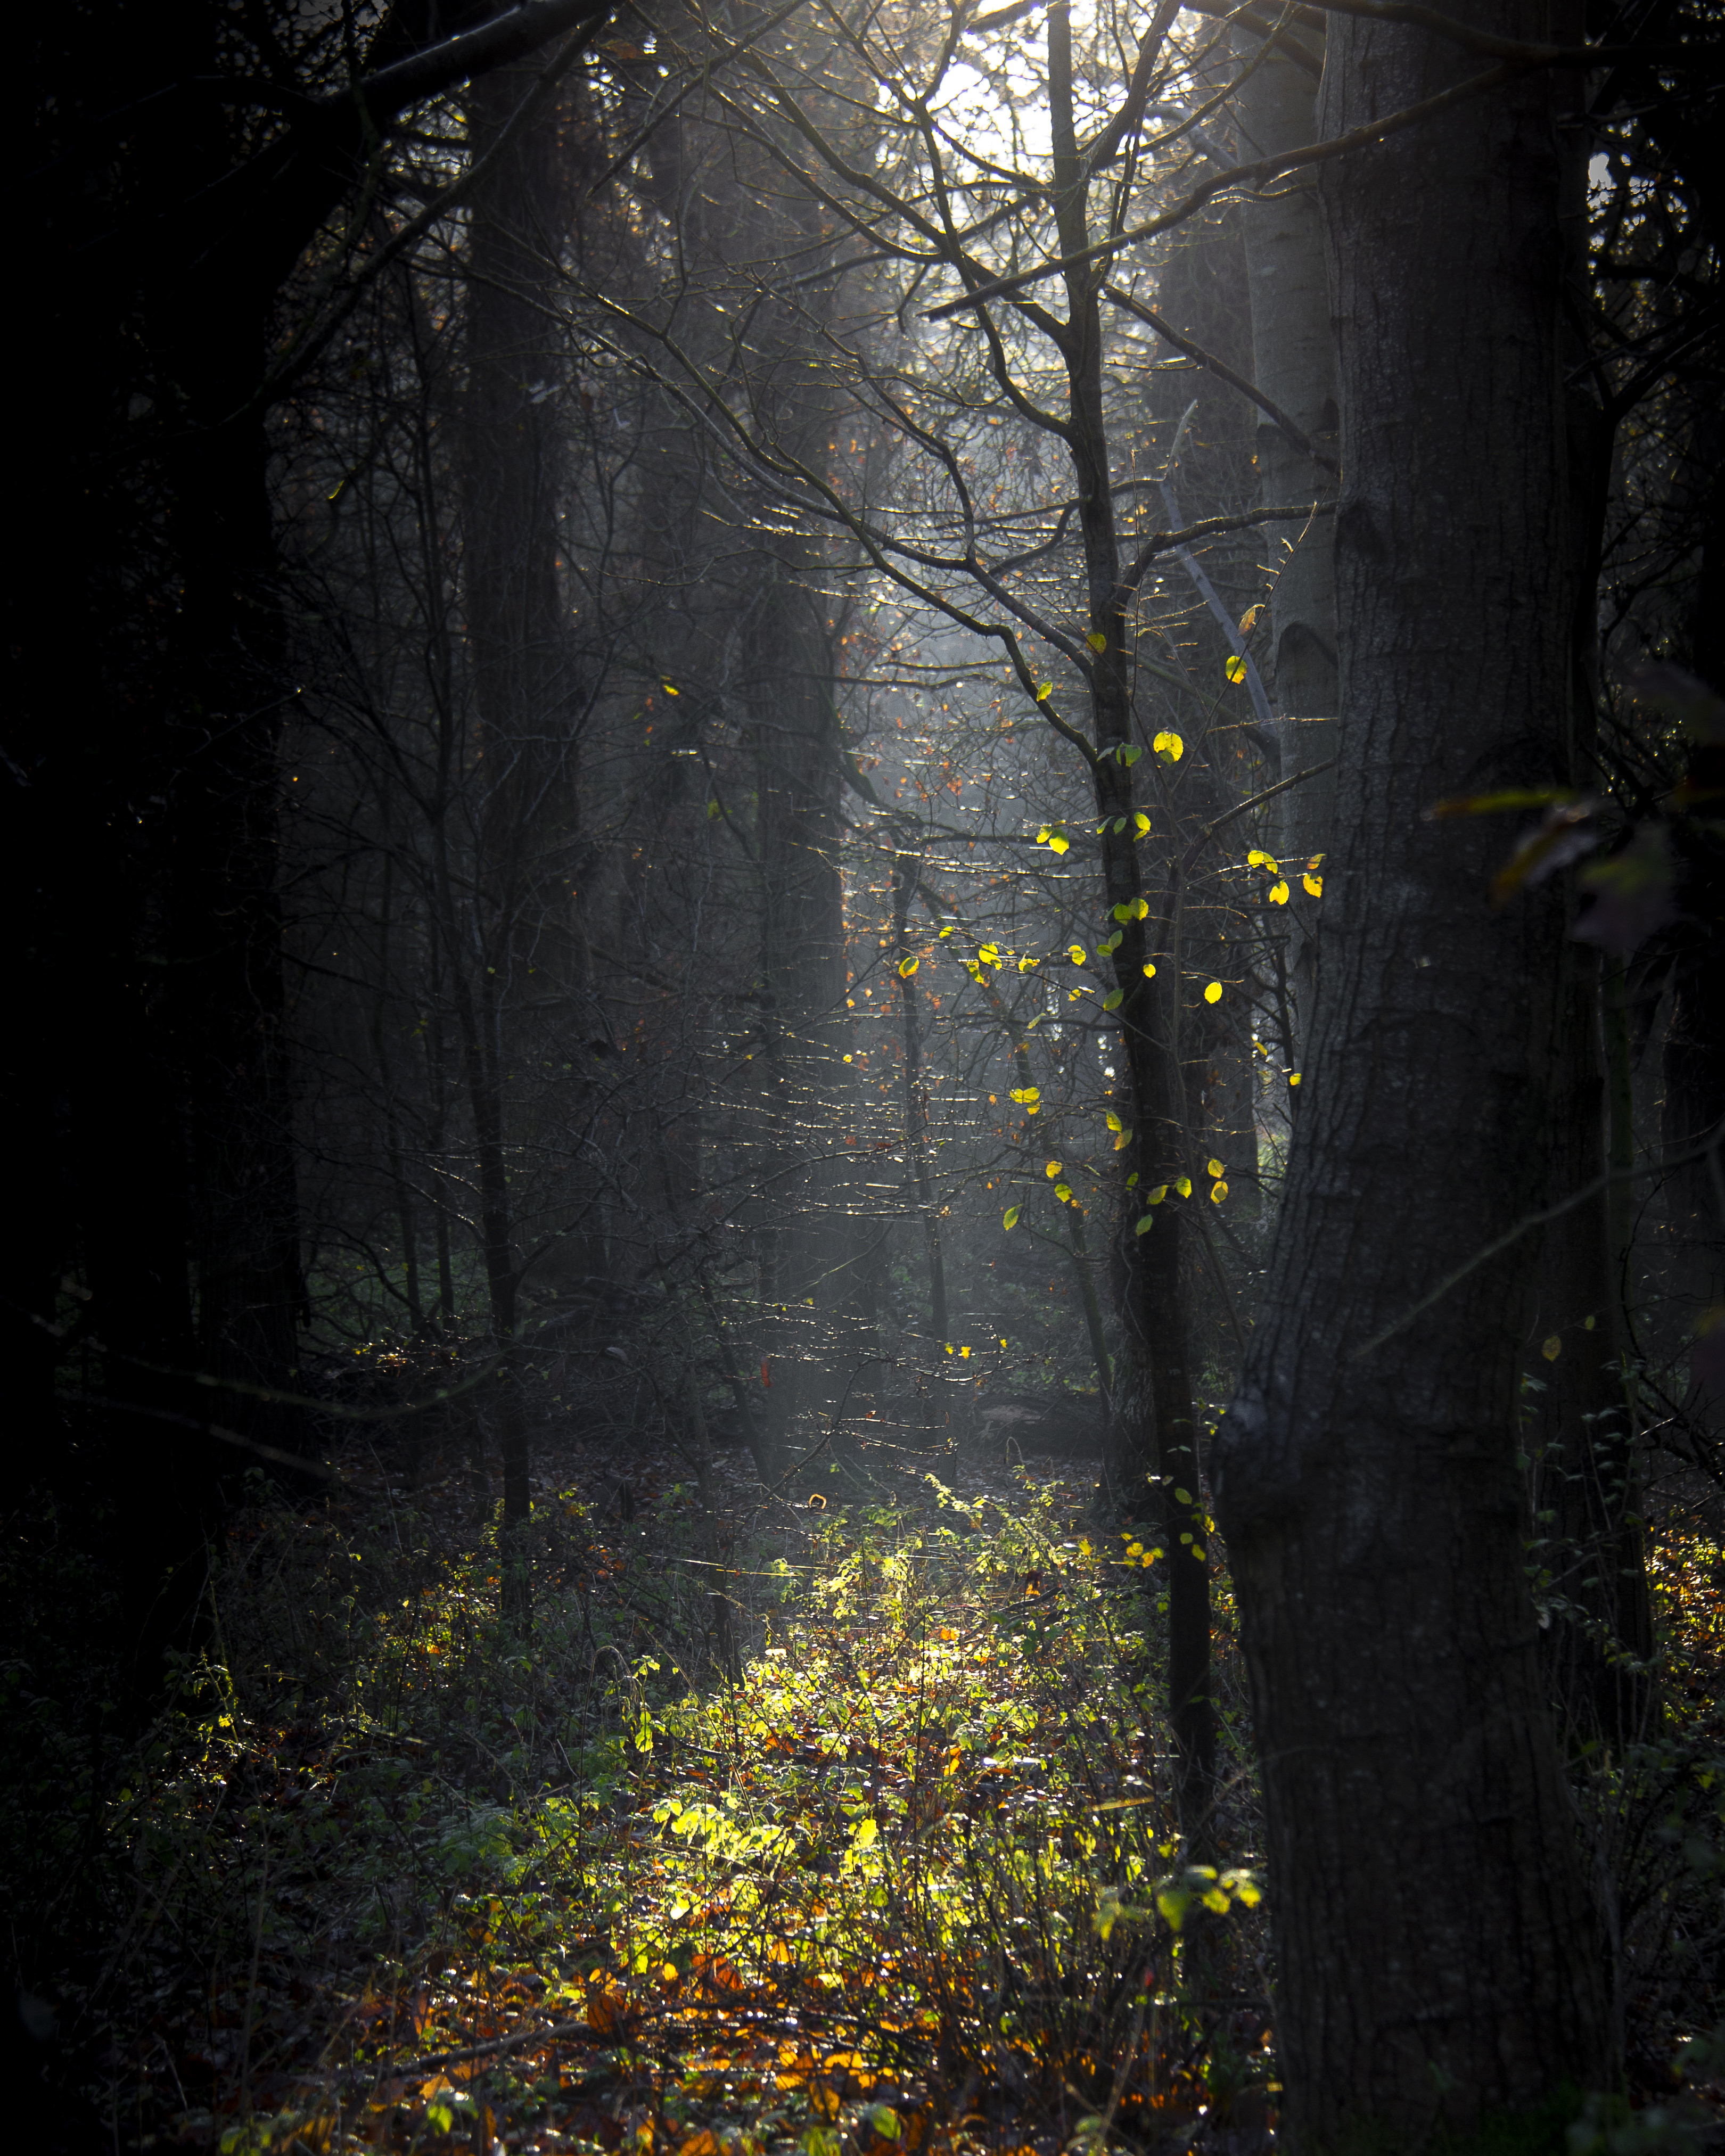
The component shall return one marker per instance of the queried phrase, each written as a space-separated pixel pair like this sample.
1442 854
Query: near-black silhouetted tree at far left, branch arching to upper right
189 176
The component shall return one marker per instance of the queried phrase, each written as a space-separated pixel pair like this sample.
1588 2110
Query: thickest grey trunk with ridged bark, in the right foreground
1439 1957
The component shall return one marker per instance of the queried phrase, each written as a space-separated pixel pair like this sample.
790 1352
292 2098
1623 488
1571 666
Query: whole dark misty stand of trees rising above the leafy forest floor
846 708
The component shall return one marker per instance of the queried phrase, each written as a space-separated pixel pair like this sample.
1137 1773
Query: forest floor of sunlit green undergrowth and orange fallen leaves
905 1875
